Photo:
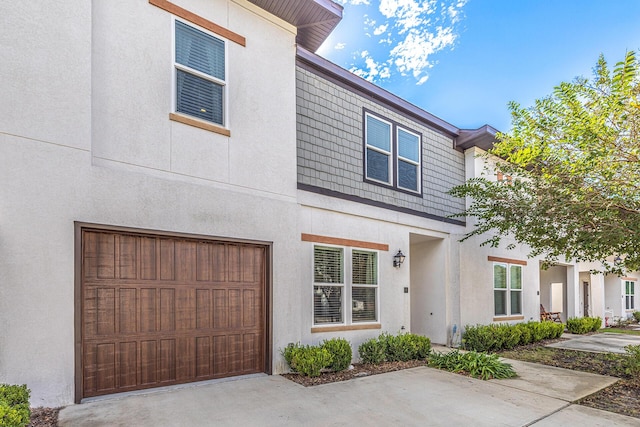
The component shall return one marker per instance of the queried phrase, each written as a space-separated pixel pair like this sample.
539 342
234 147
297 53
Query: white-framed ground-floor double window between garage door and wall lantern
333 285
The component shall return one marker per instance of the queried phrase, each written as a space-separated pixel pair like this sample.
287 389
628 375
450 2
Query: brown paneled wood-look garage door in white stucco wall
160 310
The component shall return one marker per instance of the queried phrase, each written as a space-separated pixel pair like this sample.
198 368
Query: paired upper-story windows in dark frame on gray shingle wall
392 154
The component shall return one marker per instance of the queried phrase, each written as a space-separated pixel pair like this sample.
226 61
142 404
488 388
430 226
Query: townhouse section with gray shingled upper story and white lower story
373 177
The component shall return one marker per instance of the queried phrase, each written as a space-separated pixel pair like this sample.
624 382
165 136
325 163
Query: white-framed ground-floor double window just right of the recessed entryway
507 289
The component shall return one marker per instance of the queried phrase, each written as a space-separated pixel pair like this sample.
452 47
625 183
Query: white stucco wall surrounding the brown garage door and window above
86 137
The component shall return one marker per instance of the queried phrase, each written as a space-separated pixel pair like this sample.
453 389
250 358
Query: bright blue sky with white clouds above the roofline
464 60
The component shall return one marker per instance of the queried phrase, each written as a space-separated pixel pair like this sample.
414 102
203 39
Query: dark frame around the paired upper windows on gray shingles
394 158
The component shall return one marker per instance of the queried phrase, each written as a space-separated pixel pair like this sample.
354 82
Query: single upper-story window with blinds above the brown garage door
200 74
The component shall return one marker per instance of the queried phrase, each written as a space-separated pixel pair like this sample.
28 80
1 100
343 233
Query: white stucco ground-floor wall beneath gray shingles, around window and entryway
330 217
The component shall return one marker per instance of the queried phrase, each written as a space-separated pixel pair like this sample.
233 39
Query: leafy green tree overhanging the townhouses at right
573 162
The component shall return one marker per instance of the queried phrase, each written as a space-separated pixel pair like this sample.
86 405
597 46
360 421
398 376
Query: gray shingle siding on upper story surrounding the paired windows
330 151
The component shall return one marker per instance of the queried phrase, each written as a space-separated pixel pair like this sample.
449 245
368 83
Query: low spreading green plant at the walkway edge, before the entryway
477 365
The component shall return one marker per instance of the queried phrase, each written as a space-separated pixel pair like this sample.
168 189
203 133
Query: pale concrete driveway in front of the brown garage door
422 396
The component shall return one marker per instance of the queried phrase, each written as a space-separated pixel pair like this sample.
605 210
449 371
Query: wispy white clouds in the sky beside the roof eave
414 31
